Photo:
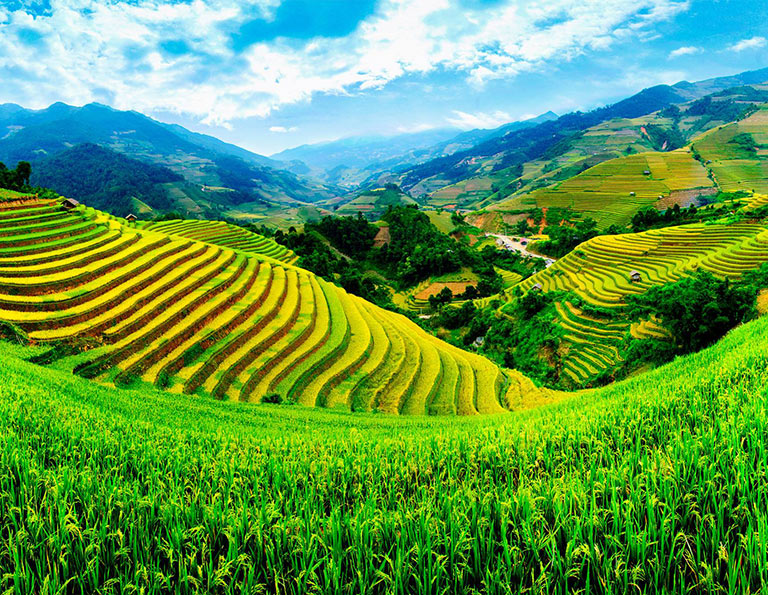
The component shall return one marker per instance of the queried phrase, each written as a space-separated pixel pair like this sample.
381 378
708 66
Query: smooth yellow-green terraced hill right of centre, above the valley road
614 190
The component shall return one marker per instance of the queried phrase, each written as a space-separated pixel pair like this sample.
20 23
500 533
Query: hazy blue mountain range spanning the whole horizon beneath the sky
98 153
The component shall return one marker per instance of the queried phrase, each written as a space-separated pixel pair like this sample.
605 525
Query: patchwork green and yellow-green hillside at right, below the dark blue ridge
616 168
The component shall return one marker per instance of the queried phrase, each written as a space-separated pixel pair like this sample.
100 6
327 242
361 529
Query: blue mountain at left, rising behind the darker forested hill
215 177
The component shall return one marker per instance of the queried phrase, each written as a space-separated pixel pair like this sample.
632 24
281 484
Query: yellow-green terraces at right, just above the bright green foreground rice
598 272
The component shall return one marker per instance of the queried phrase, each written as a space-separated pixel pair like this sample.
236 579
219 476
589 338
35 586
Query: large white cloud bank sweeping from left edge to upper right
113 51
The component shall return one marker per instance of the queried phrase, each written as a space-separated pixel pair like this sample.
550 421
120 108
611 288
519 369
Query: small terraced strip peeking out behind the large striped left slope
226 235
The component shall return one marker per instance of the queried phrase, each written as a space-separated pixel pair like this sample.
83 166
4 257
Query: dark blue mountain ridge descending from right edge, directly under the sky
496 161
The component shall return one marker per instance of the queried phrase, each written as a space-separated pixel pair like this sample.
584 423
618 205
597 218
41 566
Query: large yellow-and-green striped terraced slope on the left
197 308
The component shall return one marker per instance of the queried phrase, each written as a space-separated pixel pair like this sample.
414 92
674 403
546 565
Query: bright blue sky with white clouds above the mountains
272 74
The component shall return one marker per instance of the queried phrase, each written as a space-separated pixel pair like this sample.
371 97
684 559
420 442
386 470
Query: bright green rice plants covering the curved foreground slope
653 485
